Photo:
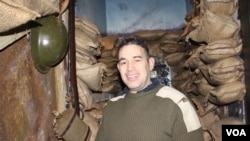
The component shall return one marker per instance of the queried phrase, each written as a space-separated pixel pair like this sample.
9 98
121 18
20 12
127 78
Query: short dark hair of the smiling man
122 41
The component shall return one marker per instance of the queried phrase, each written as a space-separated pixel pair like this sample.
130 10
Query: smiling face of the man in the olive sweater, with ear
134 67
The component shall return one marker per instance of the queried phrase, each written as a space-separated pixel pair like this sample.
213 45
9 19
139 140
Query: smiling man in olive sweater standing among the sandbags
146 110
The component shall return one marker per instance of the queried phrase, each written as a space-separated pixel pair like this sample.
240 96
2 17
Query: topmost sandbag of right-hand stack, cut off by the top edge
227 7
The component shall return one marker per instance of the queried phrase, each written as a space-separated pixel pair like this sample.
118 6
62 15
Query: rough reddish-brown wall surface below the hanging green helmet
27 97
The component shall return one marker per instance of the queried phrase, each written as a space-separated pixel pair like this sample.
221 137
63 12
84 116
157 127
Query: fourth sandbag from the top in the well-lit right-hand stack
224 71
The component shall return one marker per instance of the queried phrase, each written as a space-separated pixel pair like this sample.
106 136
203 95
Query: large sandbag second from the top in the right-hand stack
211 27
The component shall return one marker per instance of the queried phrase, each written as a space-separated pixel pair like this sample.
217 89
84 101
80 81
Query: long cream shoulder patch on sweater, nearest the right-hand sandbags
190 116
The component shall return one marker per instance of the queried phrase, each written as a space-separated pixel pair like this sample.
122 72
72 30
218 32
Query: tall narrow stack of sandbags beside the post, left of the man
89 71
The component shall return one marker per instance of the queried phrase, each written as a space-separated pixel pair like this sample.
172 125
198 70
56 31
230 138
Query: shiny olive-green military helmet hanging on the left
49 42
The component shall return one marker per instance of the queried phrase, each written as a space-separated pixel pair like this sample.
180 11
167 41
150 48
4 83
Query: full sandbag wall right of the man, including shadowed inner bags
213 74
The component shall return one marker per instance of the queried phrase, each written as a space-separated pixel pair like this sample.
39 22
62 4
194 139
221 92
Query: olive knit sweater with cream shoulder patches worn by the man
160 114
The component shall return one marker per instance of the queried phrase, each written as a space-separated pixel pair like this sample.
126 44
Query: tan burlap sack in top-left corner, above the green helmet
14 13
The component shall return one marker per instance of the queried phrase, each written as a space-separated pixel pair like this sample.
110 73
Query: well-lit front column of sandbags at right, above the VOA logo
219 51
